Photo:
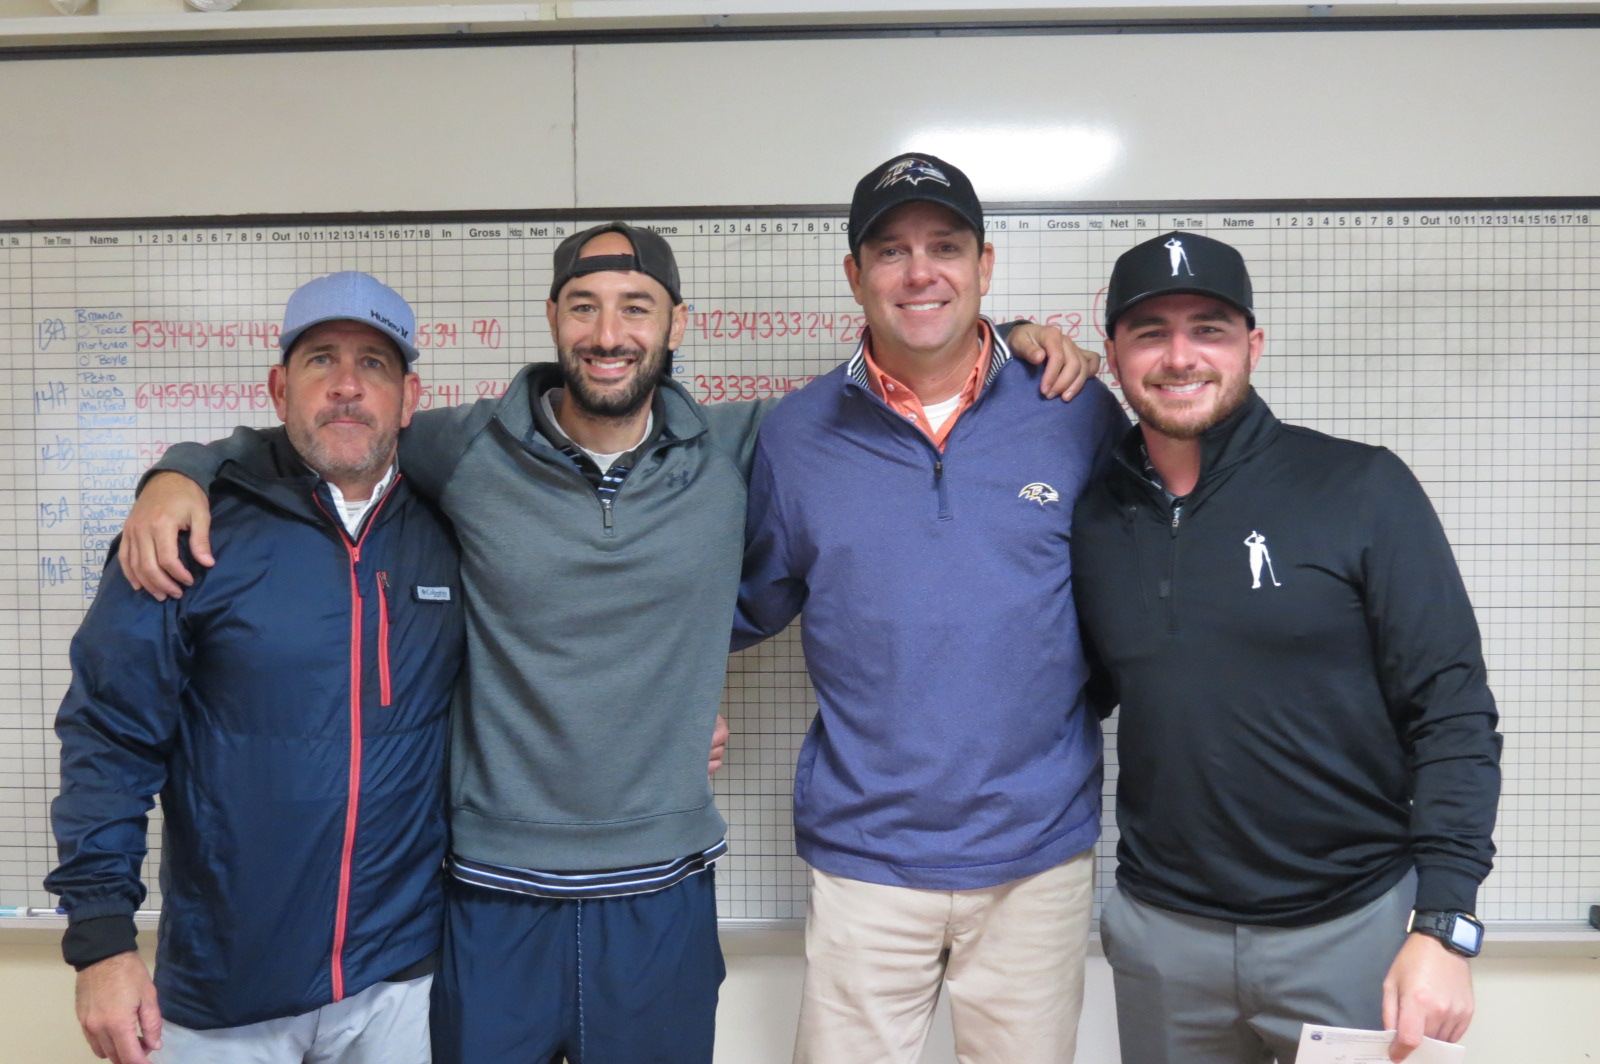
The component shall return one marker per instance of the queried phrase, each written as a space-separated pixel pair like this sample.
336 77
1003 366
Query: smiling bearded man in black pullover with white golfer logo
1308 754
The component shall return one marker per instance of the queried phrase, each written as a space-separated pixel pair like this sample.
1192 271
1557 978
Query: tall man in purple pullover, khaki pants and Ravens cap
948 796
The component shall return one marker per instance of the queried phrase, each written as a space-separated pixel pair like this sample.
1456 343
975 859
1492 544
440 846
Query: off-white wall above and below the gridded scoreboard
1230 116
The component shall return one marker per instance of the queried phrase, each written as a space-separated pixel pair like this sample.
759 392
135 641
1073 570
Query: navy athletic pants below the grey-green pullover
607 982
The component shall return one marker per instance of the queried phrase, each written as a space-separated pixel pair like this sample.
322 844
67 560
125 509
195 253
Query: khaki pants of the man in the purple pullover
1012 958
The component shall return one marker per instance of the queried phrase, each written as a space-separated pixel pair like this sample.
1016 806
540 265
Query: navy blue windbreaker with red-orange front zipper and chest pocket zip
290 711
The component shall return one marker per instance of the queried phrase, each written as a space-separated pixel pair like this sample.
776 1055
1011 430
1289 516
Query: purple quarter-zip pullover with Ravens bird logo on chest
953 748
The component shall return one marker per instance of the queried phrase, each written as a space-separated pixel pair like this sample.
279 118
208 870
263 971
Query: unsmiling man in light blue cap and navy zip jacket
292 713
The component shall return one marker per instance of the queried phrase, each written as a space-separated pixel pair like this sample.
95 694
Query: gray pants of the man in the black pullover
1196 991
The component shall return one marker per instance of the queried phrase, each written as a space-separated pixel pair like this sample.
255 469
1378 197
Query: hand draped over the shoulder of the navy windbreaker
169 505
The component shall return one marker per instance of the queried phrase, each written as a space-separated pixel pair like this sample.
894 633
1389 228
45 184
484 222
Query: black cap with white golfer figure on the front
1178 263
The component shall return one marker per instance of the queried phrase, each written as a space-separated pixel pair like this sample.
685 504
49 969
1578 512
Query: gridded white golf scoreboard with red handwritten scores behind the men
1463 338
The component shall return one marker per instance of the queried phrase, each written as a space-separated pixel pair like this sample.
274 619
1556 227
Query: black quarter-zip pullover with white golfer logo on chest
1305 706
